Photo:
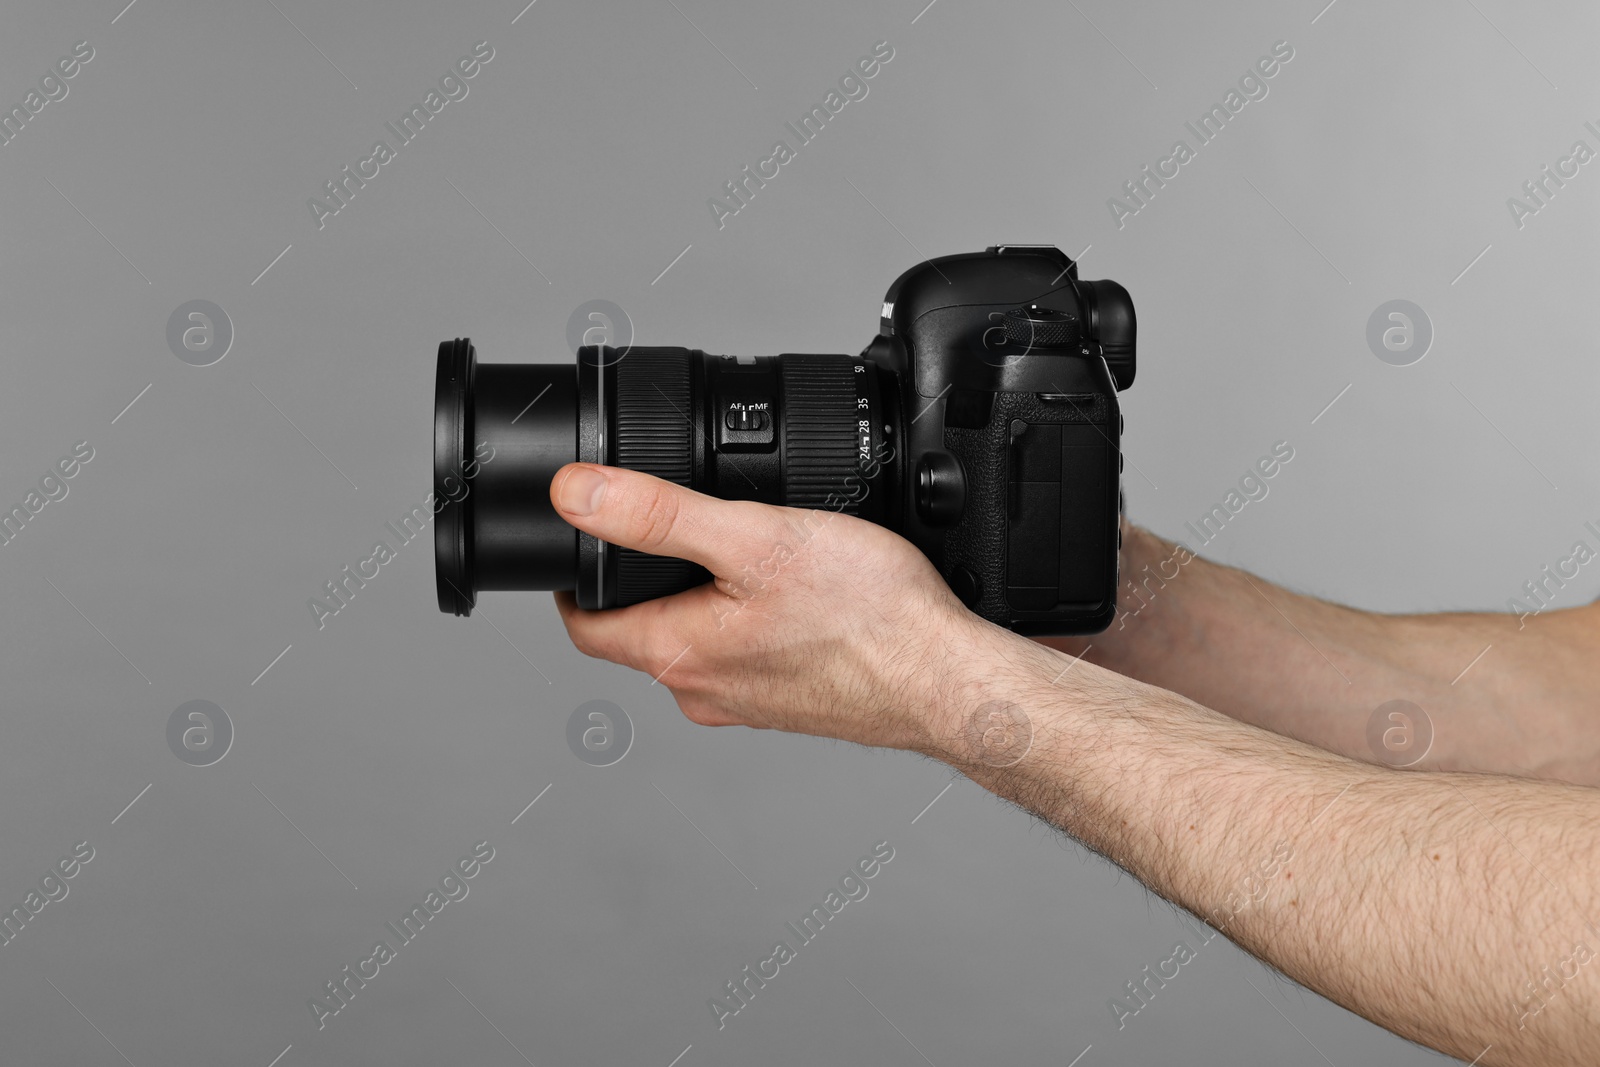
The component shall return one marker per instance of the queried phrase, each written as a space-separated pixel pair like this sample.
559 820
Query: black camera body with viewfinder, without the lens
1010 369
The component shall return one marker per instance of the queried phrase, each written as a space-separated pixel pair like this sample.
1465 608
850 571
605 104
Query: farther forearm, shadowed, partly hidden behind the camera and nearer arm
1502 697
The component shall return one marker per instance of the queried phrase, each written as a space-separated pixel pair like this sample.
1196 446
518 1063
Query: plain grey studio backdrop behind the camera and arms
398 737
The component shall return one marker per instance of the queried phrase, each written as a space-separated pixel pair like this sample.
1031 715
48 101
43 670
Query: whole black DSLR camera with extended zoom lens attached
982 425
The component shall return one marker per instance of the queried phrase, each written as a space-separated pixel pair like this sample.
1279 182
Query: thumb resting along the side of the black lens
638 511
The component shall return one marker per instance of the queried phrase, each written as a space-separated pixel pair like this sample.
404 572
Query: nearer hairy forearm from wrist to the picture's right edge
1422 901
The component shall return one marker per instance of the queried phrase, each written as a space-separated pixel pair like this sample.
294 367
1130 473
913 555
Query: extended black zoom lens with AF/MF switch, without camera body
801 431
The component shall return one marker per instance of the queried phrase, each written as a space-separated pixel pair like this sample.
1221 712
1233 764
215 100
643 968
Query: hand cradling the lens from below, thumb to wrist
817 623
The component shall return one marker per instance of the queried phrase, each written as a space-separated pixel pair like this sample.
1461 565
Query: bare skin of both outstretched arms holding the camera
1454 908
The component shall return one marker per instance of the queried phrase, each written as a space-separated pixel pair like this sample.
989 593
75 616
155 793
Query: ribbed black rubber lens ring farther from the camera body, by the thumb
654 433
